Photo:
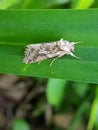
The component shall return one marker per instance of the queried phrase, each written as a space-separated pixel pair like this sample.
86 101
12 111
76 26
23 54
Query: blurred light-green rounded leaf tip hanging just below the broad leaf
54 91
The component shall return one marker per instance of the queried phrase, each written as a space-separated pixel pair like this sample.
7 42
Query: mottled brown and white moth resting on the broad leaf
42 51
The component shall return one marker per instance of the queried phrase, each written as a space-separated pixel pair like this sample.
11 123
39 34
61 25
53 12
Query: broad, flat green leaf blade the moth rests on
21 27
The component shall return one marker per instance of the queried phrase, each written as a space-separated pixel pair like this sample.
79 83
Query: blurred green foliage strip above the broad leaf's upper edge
44 4
